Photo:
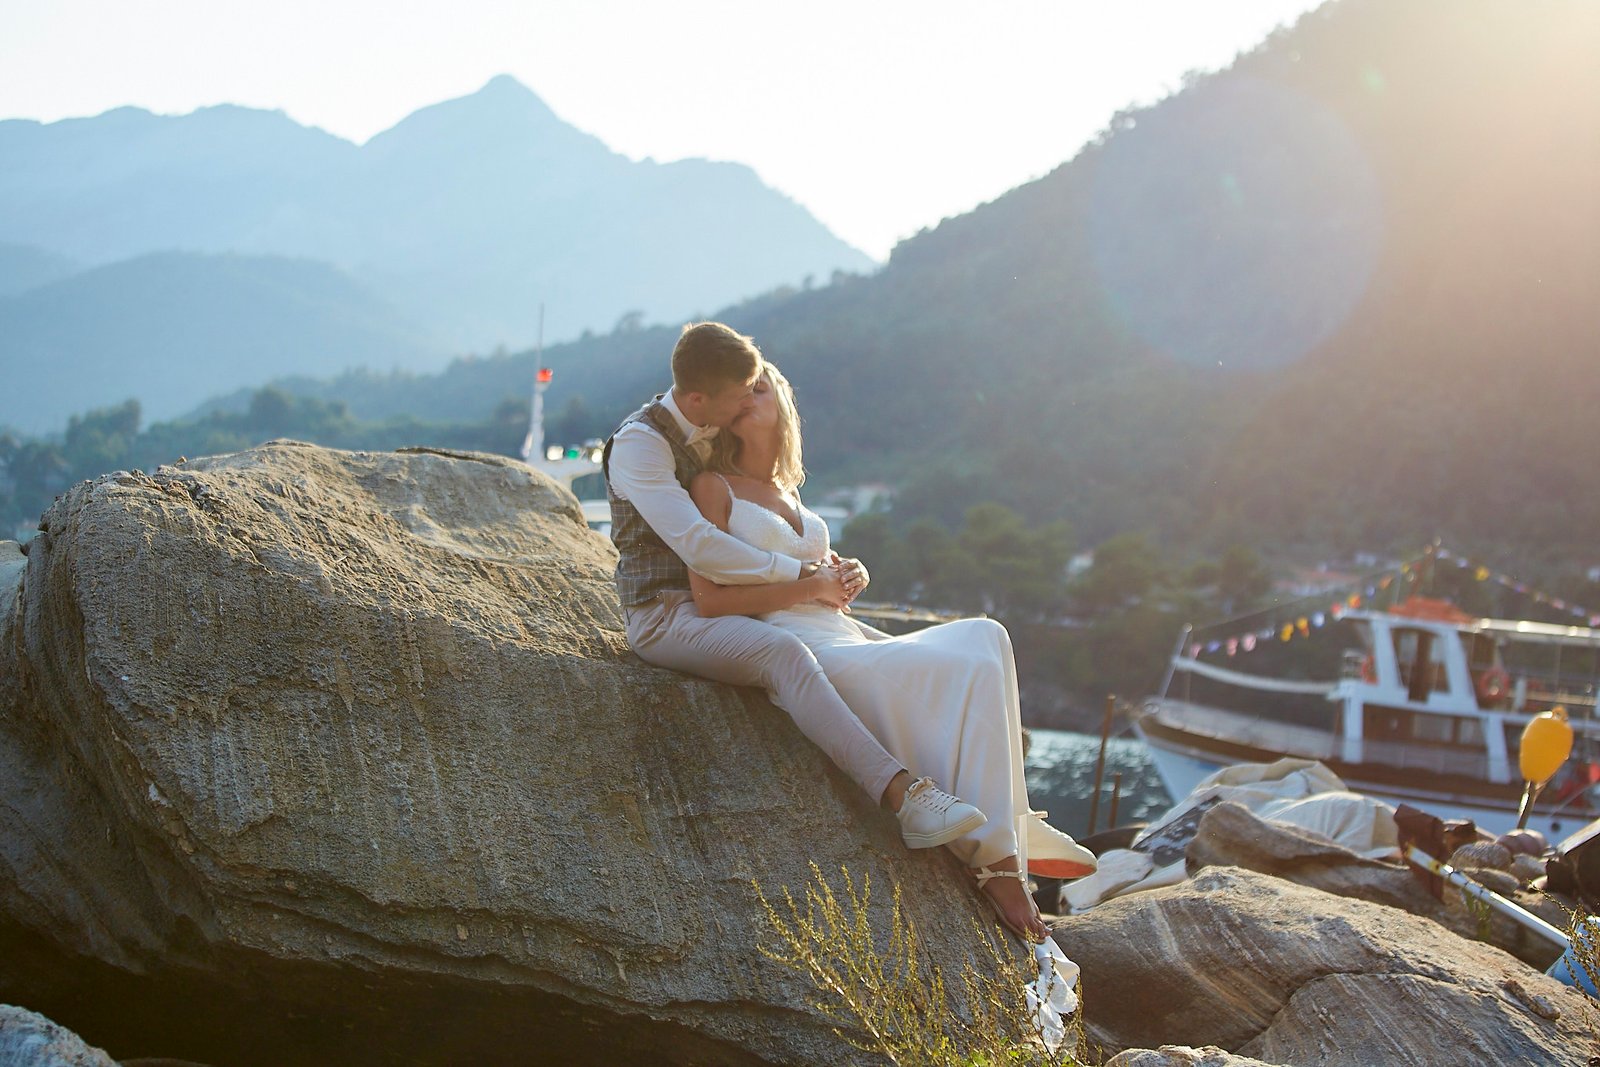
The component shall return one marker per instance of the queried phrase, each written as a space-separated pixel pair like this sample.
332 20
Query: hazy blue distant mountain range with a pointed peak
447 234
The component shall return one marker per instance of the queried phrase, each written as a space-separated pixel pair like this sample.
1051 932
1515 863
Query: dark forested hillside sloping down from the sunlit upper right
1338 297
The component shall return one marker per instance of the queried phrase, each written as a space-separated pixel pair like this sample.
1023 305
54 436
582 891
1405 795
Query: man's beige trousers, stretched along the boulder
670 633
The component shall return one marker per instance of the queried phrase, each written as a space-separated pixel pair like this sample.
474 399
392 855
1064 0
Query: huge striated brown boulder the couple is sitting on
342 757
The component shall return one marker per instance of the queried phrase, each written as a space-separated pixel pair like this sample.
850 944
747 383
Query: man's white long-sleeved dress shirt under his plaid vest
644 474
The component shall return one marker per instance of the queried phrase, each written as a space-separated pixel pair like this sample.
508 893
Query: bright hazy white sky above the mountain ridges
879 116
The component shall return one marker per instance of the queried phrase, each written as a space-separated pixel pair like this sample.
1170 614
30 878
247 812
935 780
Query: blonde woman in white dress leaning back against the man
943 700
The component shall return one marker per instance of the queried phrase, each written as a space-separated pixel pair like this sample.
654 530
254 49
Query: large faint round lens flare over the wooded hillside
1236 228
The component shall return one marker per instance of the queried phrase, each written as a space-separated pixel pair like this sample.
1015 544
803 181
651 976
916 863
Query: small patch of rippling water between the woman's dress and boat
1062 780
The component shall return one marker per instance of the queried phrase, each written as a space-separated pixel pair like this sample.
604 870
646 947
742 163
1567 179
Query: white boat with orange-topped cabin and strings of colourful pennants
1428 709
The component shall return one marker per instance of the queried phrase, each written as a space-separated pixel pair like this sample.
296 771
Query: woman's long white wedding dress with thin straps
943 700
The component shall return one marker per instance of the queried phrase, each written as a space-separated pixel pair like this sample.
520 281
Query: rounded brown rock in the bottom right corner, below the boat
1290 975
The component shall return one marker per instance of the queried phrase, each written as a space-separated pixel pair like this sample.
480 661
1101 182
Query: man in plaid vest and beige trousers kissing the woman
660 535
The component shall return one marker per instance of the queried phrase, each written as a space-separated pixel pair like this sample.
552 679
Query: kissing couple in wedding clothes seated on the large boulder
724 573
